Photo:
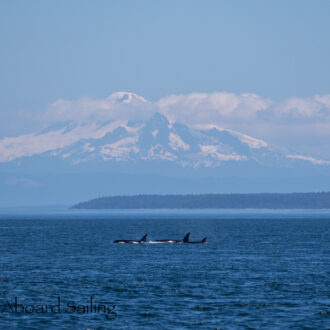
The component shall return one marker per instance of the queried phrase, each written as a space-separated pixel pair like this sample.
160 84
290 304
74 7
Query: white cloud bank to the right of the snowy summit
216 108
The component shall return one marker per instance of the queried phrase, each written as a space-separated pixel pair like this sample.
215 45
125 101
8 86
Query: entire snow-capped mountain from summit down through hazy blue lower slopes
70 161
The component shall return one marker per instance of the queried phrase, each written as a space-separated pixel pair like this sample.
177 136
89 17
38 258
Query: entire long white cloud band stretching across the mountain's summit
222 109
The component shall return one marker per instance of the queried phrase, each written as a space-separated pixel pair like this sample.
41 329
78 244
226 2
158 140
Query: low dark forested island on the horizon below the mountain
212 201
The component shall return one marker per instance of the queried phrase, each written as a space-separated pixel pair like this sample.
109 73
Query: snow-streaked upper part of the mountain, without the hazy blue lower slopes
154 139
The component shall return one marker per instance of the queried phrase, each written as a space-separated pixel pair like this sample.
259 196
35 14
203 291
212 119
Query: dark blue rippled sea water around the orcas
267 270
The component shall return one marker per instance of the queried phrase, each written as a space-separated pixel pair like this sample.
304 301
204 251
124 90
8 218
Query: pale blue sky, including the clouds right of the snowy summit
276 51
